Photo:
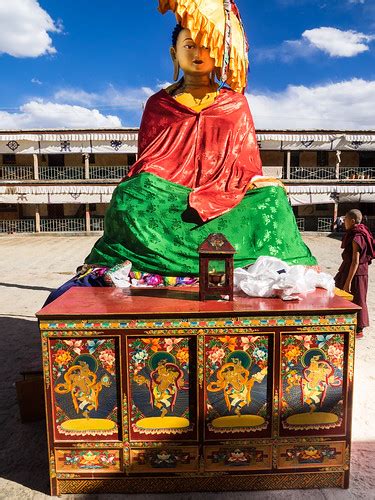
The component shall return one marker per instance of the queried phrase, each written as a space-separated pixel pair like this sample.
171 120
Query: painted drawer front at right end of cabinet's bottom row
311 455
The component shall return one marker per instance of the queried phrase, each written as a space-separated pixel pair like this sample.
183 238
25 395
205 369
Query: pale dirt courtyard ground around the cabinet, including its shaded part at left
34 265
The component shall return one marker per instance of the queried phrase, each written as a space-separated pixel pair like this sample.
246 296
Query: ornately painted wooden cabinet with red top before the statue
154 391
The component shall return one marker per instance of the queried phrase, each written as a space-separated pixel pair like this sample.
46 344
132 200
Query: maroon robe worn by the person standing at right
364 239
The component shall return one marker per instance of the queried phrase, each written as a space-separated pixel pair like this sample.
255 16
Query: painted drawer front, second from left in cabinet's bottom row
165 459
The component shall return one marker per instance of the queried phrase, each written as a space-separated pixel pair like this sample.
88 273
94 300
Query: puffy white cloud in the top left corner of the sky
25 28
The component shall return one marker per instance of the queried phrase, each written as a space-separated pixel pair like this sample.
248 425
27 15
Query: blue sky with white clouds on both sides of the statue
81 63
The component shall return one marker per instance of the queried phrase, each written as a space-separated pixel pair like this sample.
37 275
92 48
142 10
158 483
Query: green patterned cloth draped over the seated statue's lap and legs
145 224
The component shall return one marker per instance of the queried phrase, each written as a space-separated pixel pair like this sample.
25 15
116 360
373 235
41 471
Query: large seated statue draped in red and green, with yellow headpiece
199 169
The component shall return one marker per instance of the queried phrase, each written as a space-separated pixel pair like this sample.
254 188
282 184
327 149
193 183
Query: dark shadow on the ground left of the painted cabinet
23 452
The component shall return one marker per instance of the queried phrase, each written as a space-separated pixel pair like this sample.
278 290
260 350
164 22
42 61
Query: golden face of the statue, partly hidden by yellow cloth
193 60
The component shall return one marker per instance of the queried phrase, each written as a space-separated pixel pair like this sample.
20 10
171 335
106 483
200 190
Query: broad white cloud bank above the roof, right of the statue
345 105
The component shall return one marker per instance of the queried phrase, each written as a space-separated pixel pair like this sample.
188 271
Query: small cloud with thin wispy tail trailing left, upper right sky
332 41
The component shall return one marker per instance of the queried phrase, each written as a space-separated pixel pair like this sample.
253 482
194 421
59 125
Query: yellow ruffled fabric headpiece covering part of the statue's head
216 24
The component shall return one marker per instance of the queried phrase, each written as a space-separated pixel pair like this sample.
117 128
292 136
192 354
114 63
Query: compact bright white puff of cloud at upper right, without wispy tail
337 43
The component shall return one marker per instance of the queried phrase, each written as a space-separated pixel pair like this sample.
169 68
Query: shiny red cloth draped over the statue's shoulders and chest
214 152
